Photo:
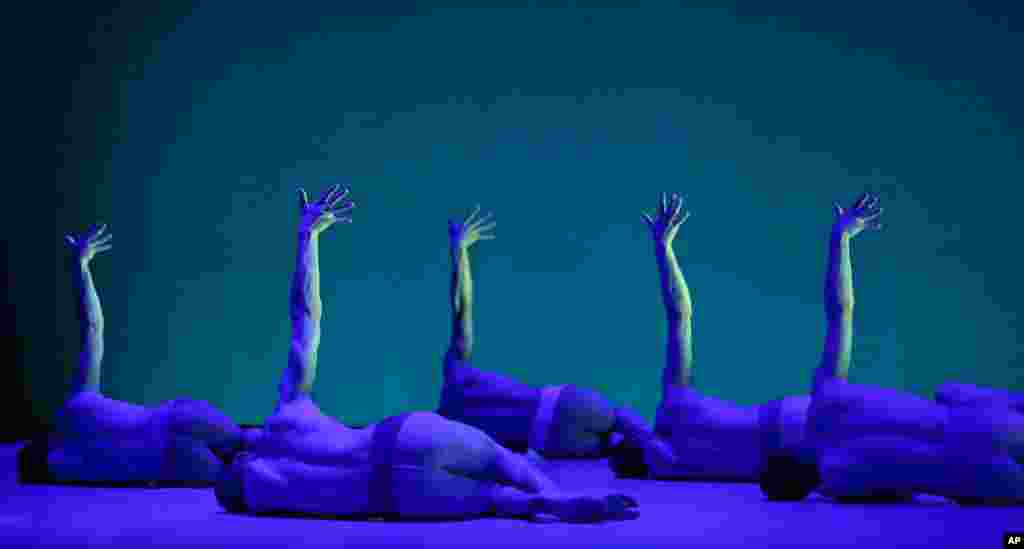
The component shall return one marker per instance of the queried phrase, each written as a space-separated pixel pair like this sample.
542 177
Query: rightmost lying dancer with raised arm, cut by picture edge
876 444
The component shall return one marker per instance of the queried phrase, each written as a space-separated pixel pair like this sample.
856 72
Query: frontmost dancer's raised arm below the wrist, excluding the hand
306 316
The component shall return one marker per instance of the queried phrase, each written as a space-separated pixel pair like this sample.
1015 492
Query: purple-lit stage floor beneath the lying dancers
673 515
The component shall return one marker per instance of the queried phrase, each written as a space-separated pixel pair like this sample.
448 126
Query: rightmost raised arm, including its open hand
839 287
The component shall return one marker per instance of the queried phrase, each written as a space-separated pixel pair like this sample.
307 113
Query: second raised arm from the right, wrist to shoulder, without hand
679 311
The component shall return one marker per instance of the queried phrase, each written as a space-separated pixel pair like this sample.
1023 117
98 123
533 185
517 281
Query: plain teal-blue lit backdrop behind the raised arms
189 129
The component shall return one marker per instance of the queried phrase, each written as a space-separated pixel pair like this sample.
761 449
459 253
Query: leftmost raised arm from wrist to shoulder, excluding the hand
92 330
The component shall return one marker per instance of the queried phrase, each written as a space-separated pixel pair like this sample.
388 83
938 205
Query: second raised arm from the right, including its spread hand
675 293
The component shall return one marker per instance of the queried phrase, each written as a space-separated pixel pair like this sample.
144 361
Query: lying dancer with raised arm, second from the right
712 439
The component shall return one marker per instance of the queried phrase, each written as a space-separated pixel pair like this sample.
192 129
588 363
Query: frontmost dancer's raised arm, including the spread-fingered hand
306 303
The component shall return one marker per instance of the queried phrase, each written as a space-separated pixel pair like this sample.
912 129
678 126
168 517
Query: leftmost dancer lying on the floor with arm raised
102 441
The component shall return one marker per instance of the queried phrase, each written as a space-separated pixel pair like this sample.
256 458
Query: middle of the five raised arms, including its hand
461 237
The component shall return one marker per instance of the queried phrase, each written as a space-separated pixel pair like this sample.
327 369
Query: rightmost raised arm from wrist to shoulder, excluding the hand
839 311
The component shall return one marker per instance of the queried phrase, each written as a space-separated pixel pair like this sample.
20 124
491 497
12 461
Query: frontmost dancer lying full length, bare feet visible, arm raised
414 467
